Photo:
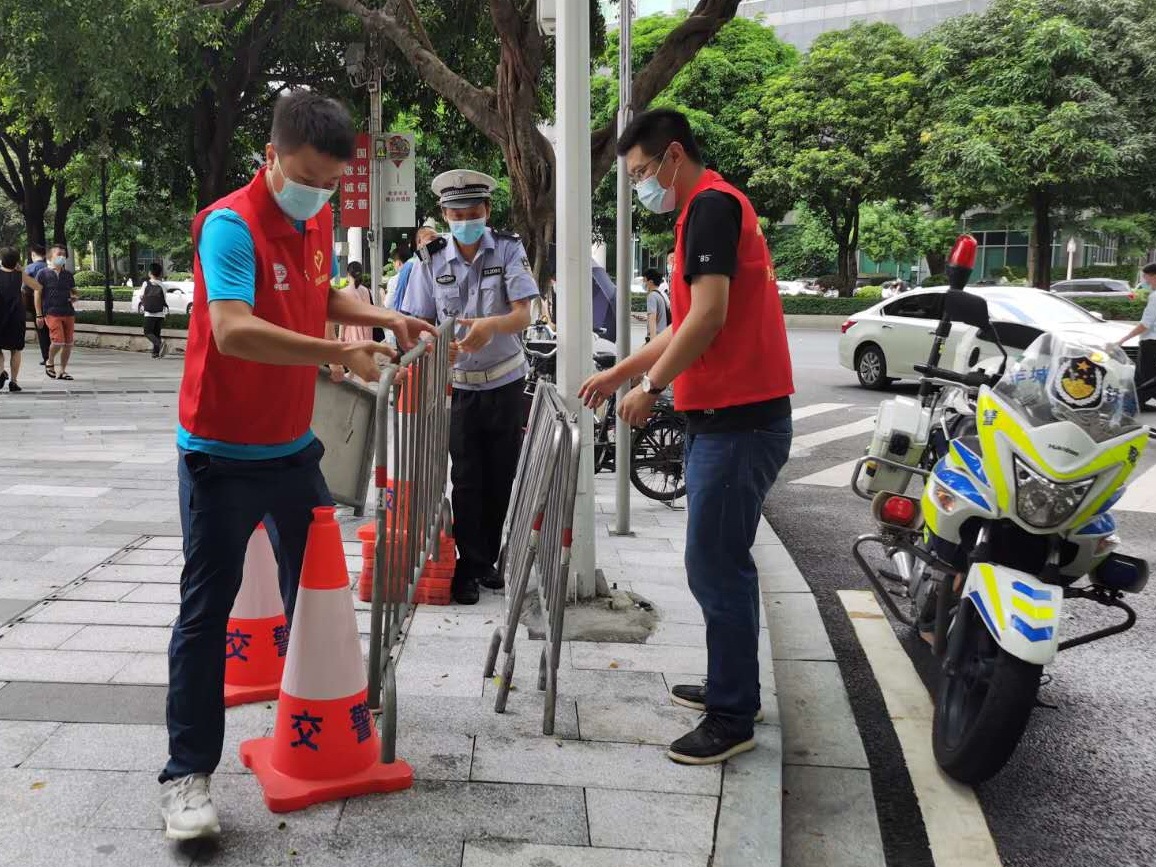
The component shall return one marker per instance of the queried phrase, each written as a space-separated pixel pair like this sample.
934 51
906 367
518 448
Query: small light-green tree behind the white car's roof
906 233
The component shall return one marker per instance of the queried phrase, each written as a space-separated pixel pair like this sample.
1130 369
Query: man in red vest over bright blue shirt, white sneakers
262 298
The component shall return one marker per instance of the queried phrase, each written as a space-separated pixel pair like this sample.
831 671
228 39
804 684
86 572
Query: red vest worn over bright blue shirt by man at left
248 403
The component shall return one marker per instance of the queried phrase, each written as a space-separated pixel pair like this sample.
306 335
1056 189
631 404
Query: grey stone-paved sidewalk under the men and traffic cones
90 565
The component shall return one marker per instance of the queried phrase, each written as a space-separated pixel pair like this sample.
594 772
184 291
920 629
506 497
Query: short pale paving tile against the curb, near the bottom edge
649 820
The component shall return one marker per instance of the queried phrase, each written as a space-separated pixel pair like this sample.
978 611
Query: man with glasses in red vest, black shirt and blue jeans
728 358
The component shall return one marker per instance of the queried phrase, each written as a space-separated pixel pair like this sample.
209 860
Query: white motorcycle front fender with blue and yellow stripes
1021 612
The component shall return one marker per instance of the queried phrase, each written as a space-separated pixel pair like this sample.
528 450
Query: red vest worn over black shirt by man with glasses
749 361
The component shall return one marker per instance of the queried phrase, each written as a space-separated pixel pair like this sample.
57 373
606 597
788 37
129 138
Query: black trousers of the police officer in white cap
485 443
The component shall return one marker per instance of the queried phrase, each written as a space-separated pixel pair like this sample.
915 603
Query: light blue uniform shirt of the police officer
450 286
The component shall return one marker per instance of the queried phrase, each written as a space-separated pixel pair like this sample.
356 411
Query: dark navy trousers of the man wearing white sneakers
221 503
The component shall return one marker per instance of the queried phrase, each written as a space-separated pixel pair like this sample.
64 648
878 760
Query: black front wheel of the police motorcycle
983 705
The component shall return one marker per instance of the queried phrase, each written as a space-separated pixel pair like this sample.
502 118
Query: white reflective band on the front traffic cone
325 658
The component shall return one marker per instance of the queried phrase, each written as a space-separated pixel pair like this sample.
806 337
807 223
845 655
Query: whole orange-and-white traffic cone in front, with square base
325 744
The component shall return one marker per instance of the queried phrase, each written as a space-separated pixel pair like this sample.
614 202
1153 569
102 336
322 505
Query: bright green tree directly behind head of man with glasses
714 91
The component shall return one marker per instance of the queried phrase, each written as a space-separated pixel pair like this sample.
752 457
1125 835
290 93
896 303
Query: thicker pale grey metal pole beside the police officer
576 320
